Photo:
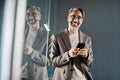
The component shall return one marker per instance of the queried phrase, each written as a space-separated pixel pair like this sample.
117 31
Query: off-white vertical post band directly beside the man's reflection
18 39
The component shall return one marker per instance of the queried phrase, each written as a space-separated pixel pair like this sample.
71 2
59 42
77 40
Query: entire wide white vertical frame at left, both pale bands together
12 39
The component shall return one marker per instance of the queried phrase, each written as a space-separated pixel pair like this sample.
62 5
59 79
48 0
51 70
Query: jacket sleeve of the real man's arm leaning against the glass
58 59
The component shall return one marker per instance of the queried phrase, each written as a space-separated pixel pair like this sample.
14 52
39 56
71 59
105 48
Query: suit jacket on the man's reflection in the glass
34 65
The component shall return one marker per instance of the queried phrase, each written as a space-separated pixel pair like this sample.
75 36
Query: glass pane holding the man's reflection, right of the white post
35 64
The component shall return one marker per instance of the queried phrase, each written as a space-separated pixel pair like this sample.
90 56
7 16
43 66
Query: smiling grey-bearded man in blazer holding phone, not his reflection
71 62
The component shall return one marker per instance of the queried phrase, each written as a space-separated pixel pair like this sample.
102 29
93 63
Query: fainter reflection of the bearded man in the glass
34 57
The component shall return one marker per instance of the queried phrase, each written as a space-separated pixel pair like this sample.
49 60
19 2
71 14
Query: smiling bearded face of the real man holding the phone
75 19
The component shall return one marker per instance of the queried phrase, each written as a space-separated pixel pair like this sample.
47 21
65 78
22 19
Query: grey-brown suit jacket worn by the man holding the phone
63 64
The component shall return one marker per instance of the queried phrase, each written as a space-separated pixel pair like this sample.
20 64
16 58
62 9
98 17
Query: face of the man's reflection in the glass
32 16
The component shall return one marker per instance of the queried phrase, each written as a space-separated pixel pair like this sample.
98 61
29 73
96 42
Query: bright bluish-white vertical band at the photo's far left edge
7 38
